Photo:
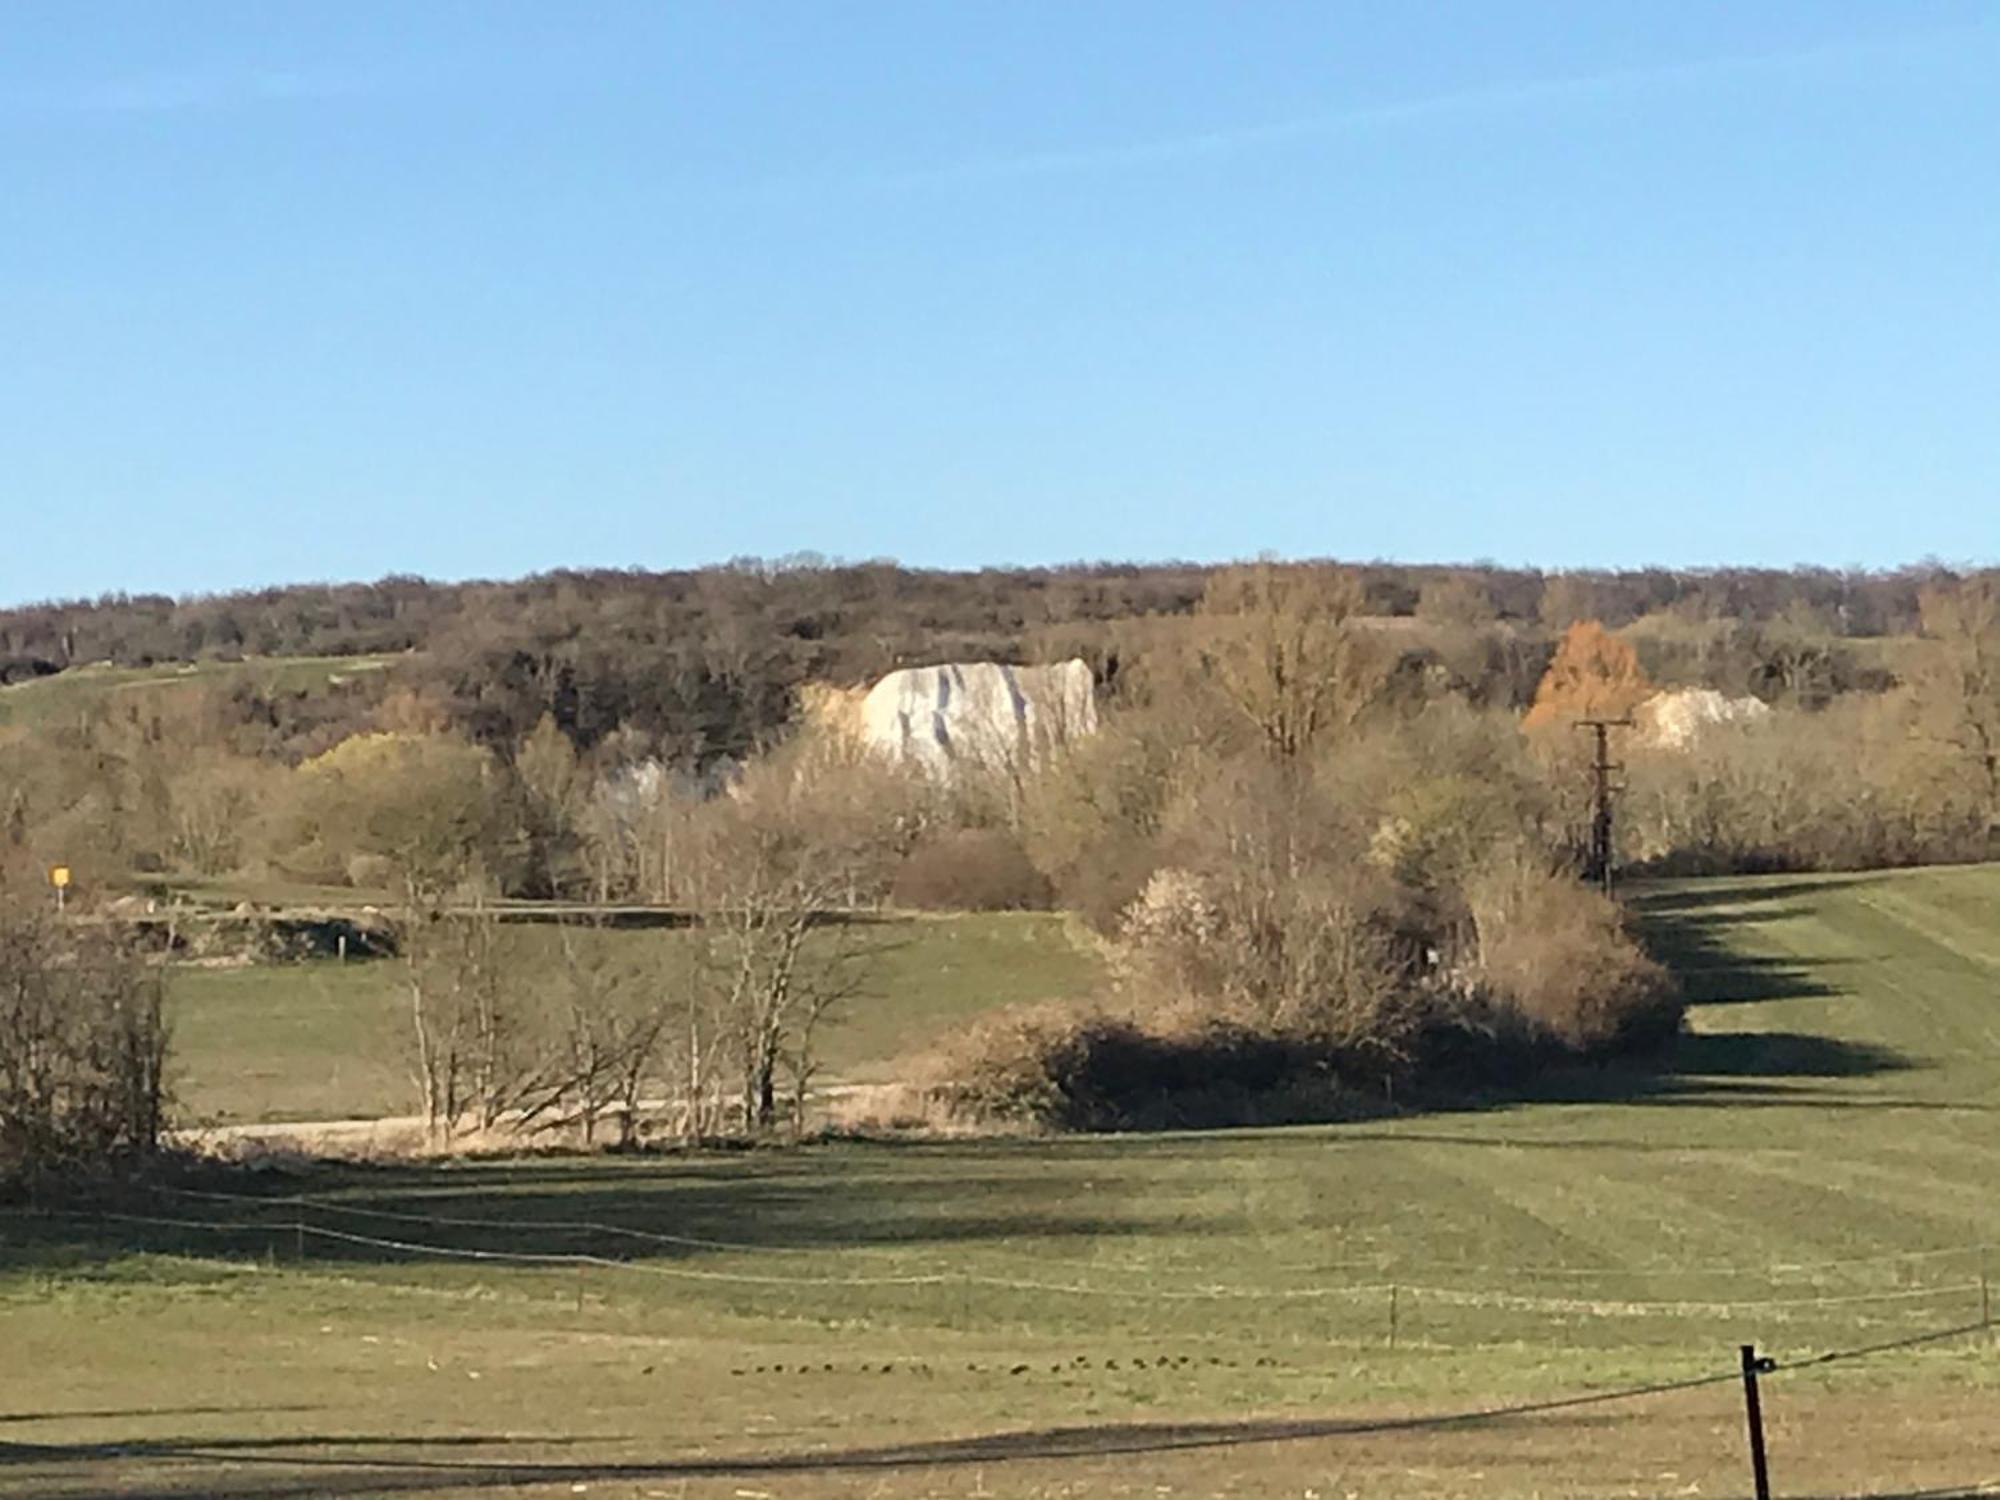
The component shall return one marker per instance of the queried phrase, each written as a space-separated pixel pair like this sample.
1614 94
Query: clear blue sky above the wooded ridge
327 291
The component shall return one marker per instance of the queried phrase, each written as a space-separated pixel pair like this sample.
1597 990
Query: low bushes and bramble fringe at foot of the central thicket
1231 1023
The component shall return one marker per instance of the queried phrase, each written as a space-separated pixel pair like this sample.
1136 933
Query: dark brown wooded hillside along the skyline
705 663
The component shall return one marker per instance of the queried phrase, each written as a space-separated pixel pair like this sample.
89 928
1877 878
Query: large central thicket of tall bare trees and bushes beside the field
1341 901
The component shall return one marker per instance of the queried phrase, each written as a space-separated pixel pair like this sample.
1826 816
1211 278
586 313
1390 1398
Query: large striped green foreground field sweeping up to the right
1119 1317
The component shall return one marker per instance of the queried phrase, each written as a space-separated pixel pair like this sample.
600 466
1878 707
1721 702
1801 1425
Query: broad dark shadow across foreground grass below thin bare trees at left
767 1219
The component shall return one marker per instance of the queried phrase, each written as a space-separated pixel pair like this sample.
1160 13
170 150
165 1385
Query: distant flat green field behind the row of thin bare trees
331 1041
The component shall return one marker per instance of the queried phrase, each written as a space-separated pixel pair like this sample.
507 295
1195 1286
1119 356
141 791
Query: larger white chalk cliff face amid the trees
979 713
